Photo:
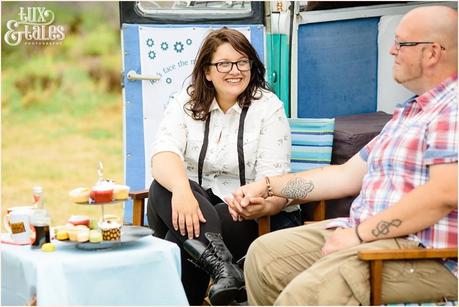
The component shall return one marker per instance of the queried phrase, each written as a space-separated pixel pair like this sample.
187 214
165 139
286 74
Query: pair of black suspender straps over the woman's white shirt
240 148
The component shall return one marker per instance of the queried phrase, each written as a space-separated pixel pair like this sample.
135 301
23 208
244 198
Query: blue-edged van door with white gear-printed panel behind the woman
160 40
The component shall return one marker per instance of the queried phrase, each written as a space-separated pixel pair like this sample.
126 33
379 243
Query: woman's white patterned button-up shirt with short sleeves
267 142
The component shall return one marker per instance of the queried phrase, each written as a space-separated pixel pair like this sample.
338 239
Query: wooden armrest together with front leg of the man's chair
376 258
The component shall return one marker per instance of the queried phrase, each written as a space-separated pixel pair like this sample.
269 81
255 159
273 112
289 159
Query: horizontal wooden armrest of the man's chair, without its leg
413 253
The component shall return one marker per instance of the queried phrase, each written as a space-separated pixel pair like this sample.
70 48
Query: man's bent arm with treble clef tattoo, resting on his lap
417 210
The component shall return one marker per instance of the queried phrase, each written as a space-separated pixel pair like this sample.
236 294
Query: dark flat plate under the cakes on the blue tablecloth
128 234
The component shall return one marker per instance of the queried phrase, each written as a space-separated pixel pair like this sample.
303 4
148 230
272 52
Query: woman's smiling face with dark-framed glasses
228 84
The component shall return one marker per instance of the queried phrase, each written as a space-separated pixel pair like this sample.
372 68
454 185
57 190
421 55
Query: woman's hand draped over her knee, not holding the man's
186 214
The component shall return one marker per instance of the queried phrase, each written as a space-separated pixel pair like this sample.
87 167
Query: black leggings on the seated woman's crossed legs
236 235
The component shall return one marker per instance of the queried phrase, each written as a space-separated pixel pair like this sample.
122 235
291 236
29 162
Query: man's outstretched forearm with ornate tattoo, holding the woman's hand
329 182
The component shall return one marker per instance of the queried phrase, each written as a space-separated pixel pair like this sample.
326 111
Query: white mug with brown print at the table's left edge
17 224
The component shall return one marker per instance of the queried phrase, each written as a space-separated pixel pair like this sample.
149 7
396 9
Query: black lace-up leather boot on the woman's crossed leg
216 260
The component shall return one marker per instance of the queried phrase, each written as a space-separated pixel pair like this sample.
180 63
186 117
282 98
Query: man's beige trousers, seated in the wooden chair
286 267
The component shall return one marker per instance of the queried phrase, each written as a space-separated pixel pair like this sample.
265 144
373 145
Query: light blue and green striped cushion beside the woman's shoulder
312 141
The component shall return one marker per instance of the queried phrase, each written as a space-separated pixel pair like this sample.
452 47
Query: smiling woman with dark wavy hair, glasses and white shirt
226 129
